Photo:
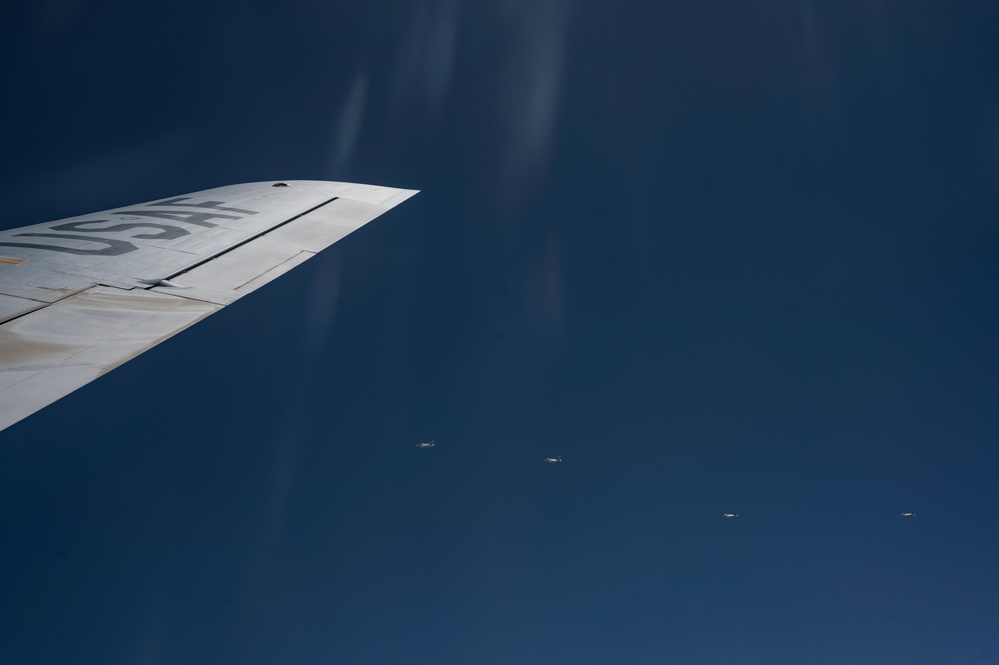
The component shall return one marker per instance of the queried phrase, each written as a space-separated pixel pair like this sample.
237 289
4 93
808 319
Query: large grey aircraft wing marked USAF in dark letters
80 296
